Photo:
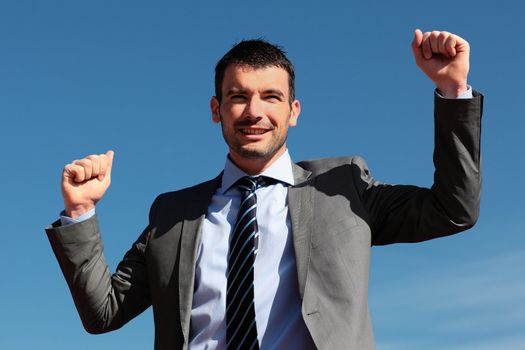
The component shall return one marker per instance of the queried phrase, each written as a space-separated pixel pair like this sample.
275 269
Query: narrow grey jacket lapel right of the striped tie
300 203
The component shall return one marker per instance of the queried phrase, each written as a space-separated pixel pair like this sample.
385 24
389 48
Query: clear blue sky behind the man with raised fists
79 77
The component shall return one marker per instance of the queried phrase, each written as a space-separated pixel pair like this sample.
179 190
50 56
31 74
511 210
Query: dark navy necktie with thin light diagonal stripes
241 330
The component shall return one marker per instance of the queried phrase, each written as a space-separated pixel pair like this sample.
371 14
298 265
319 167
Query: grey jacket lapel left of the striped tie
196 209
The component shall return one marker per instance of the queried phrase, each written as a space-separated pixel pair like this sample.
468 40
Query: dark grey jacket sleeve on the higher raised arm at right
399 213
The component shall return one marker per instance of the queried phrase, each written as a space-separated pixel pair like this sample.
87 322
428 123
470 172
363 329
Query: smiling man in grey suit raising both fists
301 281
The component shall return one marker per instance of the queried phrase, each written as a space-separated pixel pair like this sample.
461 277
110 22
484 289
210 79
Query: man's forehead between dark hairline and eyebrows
249 78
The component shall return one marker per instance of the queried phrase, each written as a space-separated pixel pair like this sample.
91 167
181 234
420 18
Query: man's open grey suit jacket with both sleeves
338 211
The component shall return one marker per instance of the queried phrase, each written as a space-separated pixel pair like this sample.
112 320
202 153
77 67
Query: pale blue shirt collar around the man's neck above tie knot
280 170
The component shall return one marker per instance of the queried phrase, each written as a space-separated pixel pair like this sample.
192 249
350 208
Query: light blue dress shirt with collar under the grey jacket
277 300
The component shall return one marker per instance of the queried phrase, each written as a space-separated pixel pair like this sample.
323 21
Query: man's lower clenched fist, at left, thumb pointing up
85 181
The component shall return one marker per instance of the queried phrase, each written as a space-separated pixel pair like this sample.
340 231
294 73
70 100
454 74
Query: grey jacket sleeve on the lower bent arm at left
104 301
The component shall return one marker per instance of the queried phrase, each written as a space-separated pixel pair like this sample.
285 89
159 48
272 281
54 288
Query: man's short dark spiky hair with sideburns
256 54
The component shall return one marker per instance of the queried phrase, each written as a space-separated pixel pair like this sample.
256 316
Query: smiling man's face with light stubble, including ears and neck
255 113
